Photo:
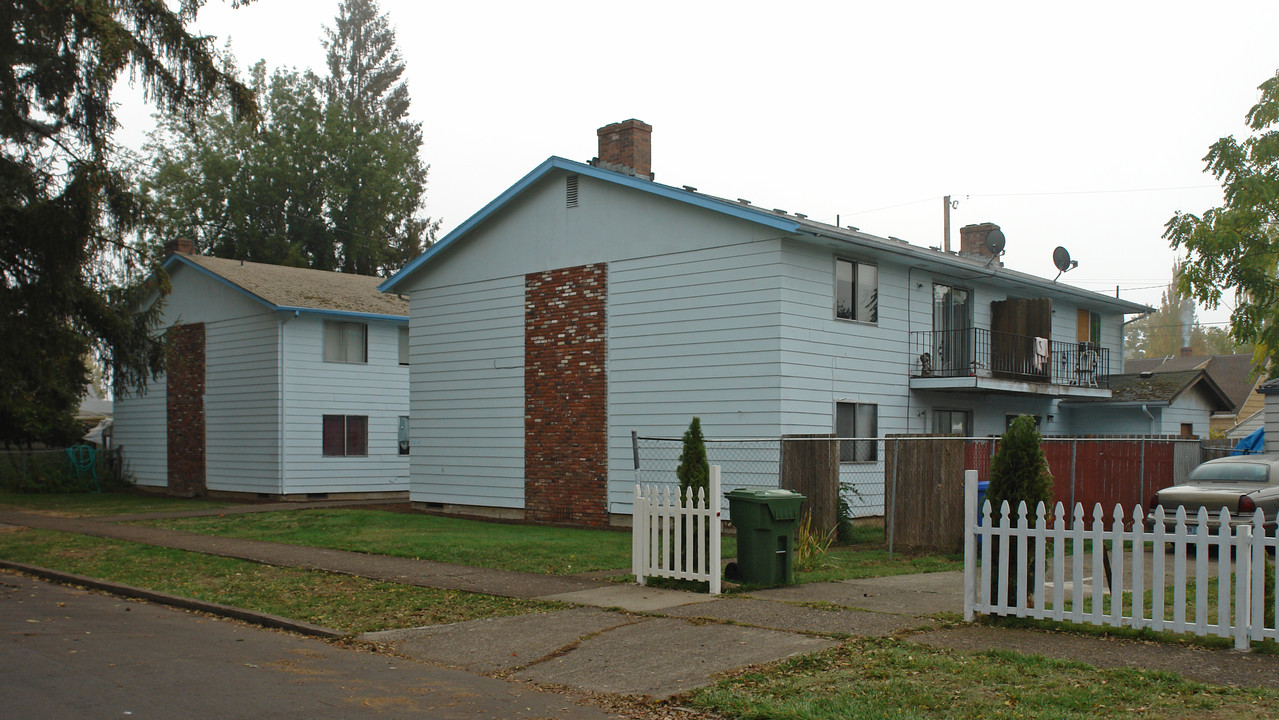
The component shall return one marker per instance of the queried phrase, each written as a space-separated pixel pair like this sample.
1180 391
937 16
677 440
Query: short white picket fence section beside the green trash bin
670 538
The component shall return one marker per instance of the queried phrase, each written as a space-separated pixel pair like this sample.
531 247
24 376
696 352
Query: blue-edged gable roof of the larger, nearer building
780 221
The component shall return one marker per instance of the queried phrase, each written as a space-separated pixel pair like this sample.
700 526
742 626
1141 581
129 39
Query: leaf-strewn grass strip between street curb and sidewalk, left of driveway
337 602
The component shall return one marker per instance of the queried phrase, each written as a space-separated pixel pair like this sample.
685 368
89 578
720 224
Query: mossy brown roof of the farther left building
299 290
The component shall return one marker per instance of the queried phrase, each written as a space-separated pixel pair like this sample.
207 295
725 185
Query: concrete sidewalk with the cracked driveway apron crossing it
626 639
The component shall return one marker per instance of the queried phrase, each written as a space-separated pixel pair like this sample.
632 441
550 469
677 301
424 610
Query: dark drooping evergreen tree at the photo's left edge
67 198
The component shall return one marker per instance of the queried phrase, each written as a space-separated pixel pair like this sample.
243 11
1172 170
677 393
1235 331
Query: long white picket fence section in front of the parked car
1085 595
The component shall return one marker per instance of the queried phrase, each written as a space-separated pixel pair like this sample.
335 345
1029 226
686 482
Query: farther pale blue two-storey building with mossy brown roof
282 382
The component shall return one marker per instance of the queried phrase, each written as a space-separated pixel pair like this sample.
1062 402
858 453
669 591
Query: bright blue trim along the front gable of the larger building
734 210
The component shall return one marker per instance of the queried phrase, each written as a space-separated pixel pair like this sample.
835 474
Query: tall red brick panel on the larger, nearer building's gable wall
566 397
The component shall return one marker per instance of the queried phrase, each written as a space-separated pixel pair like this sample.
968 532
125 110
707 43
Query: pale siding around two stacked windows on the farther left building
314 388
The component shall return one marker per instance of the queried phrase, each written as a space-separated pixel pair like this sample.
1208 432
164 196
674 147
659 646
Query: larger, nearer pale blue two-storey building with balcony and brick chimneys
589 301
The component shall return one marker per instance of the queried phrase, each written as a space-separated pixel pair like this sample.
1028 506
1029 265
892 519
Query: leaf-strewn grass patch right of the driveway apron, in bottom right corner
892 678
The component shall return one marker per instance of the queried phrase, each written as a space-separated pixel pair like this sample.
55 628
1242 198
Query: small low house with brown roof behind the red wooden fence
1156 403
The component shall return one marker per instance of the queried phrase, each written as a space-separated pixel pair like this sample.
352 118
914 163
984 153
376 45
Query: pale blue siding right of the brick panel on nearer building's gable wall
693 334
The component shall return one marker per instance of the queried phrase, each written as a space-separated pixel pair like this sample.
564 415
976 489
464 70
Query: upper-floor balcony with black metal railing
983 360
